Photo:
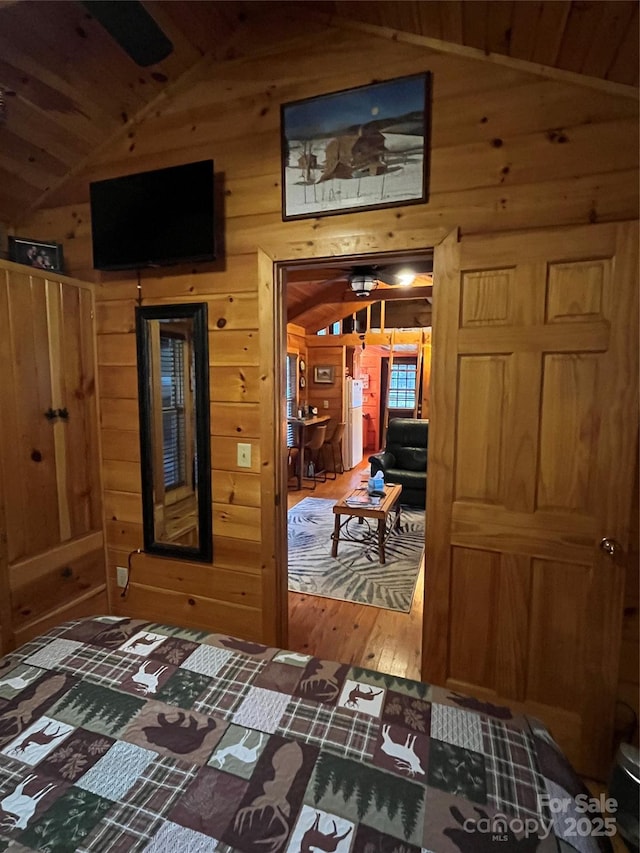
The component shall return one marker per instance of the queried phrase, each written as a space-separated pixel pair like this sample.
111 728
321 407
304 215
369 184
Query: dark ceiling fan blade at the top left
133 28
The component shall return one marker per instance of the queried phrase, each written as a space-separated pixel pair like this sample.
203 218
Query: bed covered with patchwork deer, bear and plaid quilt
119 734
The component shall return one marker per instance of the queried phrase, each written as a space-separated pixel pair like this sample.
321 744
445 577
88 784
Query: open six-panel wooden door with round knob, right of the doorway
533 431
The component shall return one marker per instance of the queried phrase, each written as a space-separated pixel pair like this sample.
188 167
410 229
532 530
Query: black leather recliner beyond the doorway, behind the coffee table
404 459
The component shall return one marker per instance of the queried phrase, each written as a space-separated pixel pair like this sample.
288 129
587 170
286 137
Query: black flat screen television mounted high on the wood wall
154 218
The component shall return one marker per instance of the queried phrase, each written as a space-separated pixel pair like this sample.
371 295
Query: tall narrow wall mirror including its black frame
173 389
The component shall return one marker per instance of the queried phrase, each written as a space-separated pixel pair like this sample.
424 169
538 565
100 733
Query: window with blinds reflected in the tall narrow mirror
172 370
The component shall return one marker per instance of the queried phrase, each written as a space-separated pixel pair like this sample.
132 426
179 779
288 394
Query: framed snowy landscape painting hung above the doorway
358 149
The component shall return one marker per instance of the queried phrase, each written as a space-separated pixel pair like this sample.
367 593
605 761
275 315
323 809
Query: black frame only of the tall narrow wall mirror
197 311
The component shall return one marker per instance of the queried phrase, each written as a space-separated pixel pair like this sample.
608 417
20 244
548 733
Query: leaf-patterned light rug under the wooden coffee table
355 574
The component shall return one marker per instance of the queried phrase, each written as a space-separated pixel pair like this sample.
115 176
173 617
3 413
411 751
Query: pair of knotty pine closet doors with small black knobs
49 466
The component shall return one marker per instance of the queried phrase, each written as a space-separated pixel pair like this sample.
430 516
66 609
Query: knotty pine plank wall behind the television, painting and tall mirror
510 150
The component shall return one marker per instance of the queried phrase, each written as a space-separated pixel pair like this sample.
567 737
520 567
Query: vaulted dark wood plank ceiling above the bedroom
70 90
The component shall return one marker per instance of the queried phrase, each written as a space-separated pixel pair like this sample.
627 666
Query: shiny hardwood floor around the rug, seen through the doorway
358 634
